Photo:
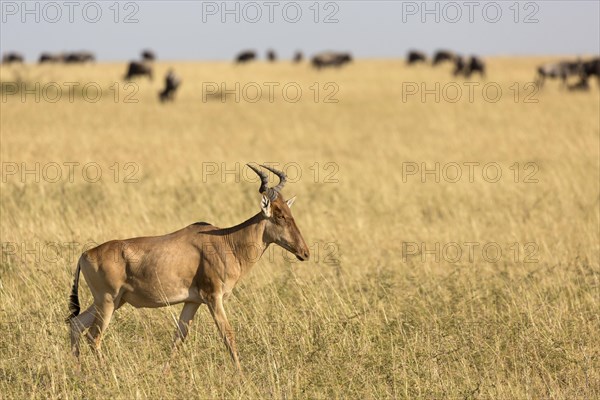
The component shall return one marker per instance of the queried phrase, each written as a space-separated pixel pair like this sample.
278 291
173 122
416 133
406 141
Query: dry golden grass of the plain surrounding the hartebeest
360 320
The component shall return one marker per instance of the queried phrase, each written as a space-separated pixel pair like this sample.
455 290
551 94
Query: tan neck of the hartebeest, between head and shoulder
247 241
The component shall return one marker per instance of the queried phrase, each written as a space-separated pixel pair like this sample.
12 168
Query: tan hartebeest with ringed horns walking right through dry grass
199 264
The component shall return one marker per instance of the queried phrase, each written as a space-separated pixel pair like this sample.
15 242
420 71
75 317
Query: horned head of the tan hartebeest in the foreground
281 228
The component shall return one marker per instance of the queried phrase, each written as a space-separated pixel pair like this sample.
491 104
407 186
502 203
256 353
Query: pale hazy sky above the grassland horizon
217 30
